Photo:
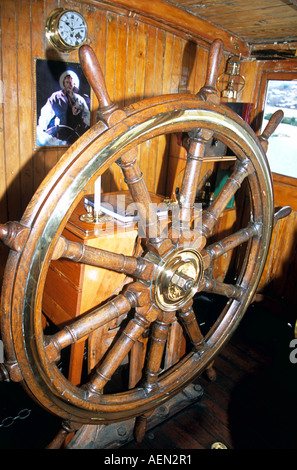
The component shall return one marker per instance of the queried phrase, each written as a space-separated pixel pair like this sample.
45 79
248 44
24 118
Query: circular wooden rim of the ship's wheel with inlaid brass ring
90 156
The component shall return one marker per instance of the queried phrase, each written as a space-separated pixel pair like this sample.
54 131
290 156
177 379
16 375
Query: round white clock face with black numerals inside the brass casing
72 28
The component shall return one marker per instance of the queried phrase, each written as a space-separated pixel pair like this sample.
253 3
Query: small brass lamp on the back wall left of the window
231 81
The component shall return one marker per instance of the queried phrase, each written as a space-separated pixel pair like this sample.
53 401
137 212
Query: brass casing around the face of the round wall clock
53 34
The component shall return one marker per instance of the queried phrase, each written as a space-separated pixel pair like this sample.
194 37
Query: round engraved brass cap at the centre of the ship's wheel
177 279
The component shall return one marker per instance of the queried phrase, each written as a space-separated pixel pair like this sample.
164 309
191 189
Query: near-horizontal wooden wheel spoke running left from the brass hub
78 252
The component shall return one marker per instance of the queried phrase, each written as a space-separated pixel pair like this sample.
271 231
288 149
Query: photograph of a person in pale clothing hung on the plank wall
62 103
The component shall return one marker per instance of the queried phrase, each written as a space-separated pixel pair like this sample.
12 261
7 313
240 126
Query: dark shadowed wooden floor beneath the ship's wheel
251 405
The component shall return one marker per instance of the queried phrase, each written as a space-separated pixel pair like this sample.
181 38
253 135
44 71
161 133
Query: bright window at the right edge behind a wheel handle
282 149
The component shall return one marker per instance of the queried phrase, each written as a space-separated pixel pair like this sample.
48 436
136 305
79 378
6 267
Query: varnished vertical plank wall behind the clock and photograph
138 59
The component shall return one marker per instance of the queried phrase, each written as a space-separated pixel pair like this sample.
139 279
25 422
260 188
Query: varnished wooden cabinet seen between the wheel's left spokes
74 288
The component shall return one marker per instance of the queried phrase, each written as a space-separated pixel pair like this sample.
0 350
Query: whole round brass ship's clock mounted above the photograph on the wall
66 30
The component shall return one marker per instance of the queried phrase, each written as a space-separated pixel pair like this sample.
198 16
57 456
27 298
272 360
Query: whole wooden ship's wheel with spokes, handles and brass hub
172 264
